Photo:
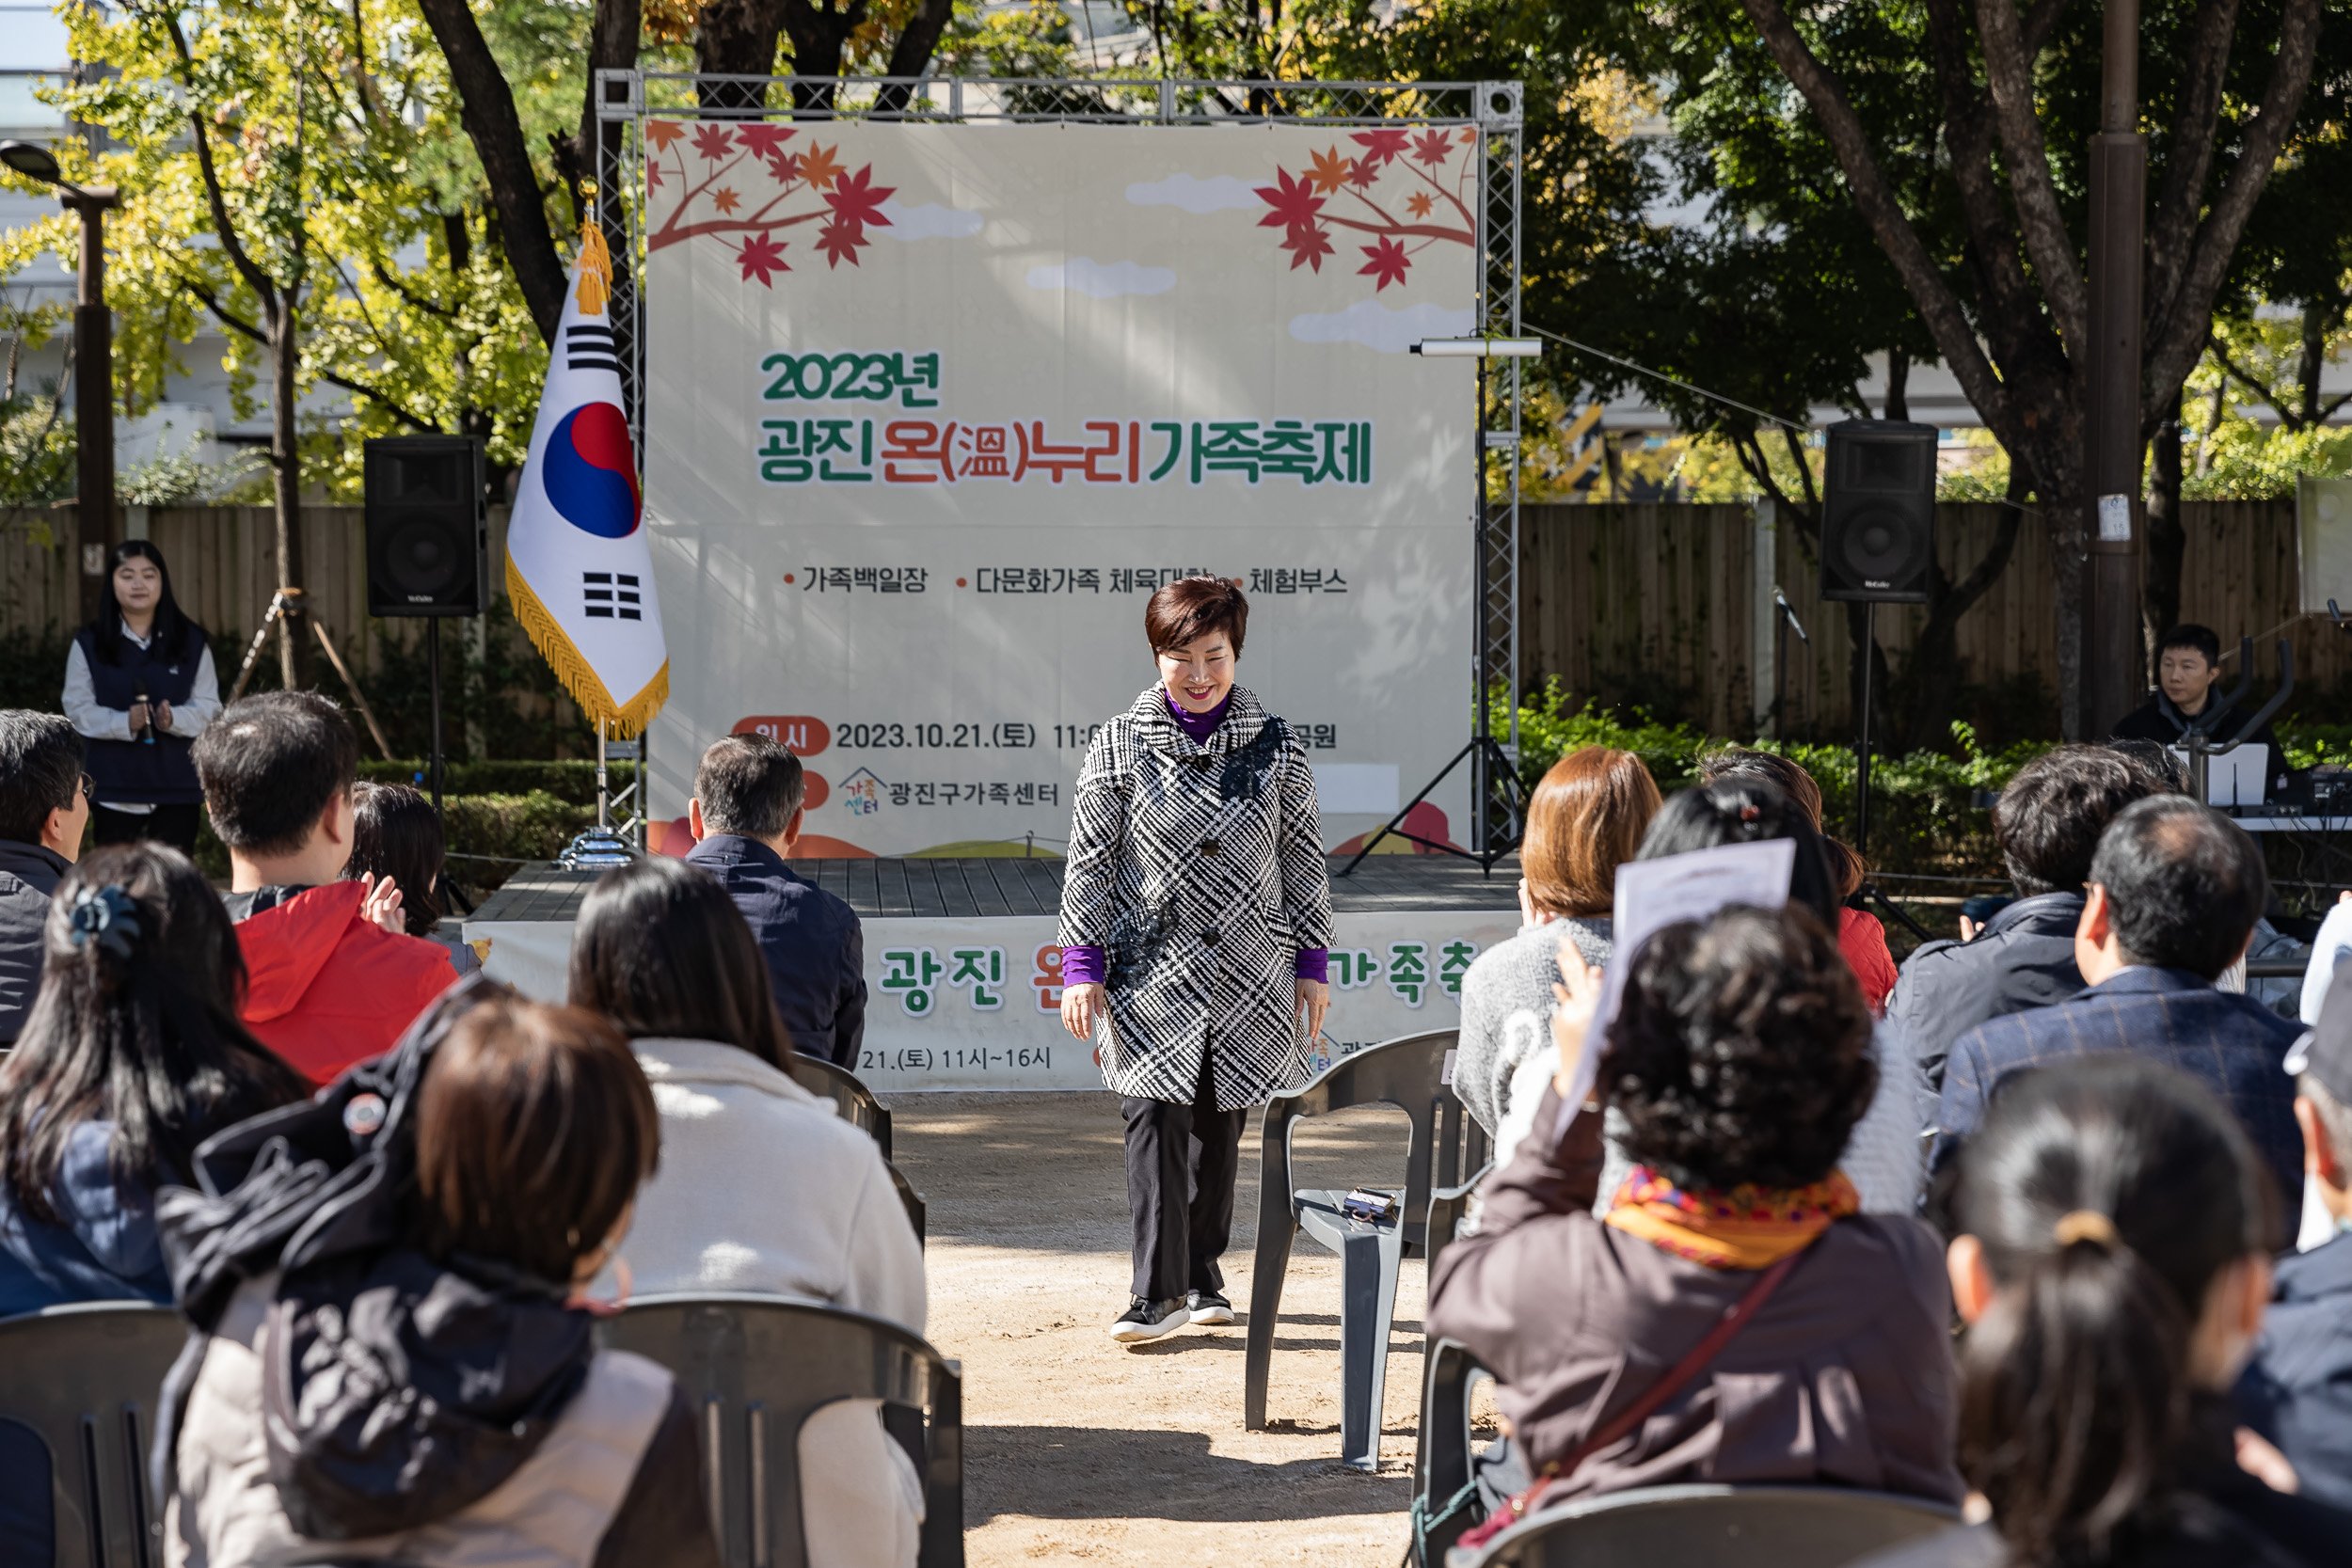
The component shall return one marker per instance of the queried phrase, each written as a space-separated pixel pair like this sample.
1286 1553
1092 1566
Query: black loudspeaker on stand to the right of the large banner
1878 511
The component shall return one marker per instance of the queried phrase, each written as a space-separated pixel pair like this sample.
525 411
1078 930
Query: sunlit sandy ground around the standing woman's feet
1078 1449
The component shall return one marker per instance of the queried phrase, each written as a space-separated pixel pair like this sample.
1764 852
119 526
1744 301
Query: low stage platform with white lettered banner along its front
963 958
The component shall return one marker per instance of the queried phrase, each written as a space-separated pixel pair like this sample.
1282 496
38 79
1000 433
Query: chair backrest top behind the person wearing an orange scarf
1756 1527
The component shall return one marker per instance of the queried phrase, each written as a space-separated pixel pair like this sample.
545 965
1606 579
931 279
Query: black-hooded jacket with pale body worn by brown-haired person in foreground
352 1400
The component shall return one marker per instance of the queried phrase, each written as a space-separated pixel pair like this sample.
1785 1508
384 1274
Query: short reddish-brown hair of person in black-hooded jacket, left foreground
535 1130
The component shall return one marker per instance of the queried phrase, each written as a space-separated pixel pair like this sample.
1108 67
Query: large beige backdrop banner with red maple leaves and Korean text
933 410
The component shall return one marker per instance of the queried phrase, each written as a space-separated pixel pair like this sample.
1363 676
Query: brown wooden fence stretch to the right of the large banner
1659 605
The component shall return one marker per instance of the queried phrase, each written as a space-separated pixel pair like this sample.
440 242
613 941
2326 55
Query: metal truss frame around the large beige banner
1495 109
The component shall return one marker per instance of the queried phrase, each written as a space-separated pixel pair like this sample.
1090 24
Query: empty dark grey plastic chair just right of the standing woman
1410 1076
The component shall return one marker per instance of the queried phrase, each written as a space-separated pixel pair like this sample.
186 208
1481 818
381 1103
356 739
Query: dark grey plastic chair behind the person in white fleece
756 1367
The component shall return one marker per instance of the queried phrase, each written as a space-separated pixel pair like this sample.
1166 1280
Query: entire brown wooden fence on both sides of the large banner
1657 605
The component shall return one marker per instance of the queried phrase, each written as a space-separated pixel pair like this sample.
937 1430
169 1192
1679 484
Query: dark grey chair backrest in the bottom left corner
76 1419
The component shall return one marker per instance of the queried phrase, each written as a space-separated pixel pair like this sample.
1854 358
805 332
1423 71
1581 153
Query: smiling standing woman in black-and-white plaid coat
1196 918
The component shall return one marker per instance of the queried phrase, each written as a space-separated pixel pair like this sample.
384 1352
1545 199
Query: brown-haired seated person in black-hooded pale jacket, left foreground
436 1400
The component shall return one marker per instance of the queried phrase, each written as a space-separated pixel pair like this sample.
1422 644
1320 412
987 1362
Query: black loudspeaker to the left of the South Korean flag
427 528
